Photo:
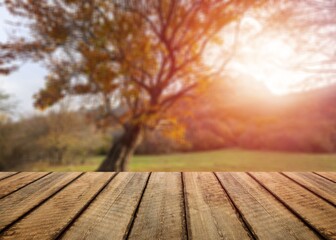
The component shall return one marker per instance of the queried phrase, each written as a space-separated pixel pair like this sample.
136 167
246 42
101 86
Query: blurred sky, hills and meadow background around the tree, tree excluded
272 108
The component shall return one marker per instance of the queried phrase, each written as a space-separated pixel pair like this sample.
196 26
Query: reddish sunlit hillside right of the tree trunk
250 117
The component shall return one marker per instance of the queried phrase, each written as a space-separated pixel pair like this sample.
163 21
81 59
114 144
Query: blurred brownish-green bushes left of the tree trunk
56 138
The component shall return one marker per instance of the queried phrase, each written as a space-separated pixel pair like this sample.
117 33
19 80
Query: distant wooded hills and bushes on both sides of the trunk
245 116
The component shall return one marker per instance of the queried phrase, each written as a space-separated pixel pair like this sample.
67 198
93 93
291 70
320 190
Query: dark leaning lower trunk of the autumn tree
121 150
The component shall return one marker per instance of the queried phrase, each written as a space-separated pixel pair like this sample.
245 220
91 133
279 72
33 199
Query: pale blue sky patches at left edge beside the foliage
24 83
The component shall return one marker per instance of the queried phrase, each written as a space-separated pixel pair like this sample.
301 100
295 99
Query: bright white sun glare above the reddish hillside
264 59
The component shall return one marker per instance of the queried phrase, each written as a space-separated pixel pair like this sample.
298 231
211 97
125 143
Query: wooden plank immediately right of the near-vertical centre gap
210 214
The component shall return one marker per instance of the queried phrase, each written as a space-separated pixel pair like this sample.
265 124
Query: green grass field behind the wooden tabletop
222 160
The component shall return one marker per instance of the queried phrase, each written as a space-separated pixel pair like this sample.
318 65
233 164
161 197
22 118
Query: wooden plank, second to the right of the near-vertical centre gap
267 217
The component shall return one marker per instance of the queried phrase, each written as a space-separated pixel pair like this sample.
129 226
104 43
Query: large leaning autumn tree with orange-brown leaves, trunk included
135 59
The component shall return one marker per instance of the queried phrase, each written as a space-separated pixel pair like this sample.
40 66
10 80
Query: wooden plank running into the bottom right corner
316 212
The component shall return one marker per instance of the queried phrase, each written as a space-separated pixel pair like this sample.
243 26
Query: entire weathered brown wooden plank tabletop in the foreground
168 205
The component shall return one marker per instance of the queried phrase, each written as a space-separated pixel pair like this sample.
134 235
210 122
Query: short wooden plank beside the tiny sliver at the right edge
319 185
